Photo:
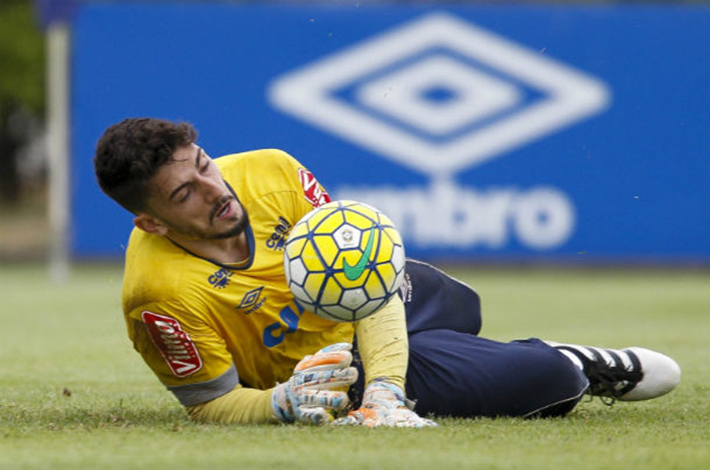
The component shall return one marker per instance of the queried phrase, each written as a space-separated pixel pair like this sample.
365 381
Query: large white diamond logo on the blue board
439 95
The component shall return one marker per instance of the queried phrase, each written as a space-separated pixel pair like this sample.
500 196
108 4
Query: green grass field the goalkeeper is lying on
74 395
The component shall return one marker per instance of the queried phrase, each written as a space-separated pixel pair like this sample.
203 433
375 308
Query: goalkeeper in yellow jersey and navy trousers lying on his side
207 307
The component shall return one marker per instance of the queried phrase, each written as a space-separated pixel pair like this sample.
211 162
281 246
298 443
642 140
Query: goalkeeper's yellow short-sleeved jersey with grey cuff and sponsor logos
203 327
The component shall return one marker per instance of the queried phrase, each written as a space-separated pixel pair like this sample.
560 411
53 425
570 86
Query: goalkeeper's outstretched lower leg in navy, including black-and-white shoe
458 374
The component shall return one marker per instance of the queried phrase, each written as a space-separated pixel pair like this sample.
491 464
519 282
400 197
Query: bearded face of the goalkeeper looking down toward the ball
191 200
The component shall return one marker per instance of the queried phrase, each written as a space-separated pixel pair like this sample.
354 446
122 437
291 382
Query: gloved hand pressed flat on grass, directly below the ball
384 404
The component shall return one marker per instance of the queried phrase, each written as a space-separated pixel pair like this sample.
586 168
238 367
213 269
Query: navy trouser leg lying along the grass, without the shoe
459 374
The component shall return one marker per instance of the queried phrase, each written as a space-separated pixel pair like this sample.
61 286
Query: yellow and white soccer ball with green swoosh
344 260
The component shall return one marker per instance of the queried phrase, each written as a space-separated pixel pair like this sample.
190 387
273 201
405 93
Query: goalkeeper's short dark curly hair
131 152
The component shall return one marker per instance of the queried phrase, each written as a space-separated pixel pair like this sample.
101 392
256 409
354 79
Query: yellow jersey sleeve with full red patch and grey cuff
185 353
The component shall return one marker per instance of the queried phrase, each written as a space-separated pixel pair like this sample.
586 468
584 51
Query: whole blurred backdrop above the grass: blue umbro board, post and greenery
528 132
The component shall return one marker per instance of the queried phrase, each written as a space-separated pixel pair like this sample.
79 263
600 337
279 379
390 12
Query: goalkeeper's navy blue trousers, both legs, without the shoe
454 372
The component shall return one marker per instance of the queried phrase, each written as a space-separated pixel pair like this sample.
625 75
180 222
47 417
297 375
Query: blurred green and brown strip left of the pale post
23 151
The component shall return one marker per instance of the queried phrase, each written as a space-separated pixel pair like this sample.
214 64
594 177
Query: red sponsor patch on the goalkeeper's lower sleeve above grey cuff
174 345
